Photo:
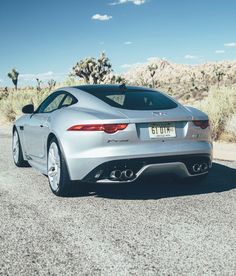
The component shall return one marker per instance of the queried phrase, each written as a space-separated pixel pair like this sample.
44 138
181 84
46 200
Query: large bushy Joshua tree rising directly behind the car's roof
93 70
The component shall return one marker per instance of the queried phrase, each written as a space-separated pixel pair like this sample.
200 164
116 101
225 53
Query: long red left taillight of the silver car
108 128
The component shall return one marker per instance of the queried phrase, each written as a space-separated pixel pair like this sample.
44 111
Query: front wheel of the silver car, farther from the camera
17 151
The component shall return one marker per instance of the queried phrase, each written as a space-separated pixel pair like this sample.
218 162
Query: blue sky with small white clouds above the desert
45 38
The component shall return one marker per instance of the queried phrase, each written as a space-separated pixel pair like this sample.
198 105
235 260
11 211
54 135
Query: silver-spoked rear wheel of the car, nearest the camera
58 175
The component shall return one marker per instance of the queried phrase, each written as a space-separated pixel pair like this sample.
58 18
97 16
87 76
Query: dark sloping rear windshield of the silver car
134 99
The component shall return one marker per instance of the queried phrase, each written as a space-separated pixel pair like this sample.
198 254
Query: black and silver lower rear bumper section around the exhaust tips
180 166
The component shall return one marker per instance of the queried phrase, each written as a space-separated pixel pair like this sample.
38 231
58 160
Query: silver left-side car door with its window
38 126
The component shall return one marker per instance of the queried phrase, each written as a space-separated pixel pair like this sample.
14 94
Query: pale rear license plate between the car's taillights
161 130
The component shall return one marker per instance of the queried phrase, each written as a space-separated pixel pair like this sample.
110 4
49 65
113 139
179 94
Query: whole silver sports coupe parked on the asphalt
111 133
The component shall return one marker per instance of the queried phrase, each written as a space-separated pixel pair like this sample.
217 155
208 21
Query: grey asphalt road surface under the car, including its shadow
154 227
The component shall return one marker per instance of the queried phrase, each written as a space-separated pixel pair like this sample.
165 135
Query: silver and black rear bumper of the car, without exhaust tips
176 158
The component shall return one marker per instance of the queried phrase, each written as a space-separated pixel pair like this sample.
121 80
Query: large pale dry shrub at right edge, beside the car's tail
220 105
